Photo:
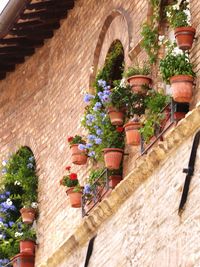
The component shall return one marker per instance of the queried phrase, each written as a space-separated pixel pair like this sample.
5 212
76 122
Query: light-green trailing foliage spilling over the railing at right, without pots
155 102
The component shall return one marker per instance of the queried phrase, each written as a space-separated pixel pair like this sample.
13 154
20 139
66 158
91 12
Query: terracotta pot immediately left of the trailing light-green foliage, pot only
132 133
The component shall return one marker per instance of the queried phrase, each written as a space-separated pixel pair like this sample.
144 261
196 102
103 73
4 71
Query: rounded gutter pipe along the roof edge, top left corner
10 14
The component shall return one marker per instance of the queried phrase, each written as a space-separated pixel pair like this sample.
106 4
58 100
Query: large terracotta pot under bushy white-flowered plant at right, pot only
182 88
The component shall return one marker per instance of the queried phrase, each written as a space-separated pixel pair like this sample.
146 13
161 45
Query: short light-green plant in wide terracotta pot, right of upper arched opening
138 78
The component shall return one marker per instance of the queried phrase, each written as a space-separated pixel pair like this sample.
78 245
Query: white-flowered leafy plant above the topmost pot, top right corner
178 15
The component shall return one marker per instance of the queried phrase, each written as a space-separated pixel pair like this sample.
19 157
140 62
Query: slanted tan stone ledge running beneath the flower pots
144 167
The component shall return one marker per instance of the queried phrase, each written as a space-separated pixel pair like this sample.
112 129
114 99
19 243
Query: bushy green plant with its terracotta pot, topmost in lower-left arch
21 179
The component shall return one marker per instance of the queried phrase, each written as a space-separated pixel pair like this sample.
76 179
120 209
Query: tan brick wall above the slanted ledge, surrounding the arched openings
41 104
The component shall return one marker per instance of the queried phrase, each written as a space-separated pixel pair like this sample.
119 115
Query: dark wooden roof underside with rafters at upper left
36 23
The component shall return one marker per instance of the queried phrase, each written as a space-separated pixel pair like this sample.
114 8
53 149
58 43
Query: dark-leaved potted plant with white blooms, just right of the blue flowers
120 98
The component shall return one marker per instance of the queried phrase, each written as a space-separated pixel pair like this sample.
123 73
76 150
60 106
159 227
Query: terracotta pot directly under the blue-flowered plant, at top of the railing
113 158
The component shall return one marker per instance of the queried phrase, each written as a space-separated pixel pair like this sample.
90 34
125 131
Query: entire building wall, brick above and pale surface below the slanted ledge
41 104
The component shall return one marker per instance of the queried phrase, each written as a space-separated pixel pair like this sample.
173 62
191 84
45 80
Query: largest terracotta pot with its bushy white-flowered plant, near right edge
177 70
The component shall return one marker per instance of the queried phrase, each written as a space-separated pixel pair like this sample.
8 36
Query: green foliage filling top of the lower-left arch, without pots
21 172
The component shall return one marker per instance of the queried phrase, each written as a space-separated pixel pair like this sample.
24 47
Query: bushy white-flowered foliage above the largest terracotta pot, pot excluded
175 64
